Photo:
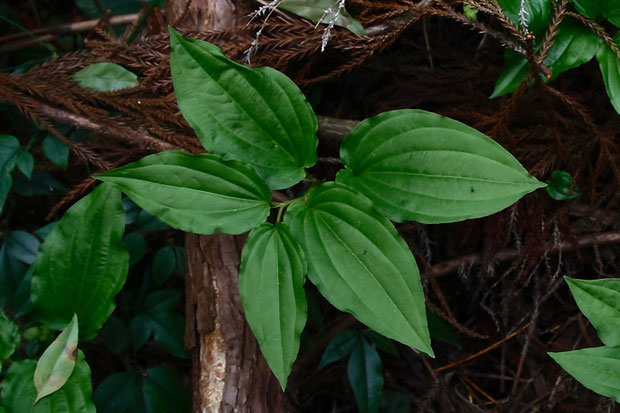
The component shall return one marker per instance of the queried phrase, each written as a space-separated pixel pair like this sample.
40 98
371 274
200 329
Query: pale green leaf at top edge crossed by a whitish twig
315 10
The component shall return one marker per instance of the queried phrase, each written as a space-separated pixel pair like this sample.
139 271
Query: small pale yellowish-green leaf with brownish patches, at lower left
57 362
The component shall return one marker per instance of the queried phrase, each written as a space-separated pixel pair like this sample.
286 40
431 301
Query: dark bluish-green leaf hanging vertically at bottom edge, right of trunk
365 376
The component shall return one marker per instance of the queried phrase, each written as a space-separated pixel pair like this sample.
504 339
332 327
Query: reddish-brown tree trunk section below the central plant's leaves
229 373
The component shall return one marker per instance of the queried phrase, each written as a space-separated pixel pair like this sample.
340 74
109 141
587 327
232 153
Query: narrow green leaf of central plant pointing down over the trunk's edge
271 285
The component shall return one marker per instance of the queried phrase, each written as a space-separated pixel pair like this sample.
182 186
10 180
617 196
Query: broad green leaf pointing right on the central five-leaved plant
417 165
